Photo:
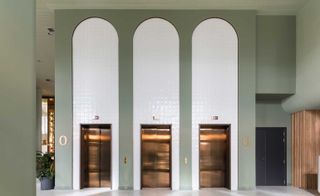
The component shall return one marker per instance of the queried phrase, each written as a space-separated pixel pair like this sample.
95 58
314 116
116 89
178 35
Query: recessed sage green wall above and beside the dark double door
271 114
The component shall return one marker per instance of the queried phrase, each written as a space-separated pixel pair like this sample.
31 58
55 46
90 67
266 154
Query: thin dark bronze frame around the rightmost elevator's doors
228 129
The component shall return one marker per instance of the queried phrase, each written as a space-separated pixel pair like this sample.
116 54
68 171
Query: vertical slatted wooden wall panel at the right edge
305 148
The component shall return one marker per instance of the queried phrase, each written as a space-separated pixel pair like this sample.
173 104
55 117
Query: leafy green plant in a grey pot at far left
45 170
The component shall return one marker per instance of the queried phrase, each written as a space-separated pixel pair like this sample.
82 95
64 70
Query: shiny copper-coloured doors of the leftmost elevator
95 156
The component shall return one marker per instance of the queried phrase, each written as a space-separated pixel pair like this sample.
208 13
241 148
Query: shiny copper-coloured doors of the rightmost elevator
214 156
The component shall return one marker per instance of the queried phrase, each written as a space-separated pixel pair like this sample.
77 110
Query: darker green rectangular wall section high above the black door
276 54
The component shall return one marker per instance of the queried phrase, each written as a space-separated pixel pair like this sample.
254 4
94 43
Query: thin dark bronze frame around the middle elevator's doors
156 126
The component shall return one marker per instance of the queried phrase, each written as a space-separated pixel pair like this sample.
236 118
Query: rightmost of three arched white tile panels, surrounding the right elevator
215 87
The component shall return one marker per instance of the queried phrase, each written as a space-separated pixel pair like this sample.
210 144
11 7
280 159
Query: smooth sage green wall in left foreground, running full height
17 98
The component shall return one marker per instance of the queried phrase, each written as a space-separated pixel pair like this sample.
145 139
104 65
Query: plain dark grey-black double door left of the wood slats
271 167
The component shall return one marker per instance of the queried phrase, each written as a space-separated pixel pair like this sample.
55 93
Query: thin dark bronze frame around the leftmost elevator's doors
111 154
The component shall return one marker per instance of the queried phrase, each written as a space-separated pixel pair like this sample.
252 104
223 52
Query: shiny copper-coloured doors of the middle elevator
155 156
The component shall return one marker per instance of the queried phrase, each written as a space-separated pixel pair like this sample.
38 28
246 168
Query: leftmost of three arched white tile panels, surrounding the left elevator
95 86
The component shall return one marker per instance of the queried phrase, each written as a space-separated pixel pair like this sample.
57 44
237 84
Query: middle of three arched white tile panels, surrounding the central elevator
156 86
